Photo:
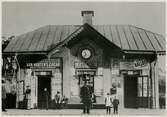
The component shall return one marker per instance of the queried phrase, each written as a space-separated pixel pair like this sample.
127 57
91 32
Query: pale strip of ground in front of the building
155 112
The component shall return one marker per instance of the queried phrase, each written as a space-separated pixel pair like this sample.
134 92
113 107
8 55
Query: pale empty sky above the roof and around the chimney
22 17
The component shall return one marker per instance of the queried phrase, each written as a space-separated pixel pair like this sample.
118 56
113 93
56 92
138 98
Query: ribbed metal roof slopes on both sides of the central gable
126 37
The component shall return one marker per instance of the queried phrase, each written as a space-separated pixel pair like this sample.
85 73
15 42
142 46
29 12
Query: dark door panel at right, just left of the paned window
130 92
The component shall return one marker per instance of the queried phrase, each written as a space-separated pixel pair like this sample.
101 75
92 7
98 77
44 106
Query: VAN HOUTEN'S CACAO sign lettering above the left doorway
46 63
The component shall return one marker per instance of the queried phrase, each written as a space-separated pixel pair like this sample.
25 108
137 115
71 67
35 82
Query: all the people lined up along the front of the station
86 95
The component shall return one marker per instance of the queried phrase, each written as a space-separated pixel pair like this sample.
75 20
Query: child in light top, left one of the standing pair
108 103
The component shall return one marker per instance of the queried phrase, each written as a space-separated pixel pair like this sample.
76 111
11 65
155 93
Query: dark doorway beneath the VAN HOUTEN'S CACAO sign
43 82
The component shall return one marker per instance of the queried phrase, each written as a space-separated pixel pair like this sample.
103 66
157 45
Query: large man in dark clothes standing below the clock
85 95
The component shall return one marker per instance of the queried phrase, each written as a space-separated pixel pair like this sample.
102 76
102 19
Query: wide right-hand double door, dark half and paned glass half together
137 92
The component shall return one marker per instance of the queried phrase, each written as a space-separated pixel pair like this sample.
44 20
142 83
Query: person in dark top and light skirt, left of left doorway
28 97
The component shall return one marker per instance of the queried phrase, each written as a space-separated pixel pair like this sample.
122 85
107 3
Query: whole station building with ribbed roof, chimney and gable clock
116 59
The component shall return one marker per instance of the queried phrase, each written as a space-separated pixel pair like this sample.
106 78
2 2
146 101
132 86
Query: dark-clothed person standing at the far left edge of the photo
3 96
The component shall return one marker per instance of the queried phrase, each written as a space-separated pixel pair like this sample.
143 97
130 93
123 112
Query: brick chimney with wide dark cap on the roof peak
87 16
